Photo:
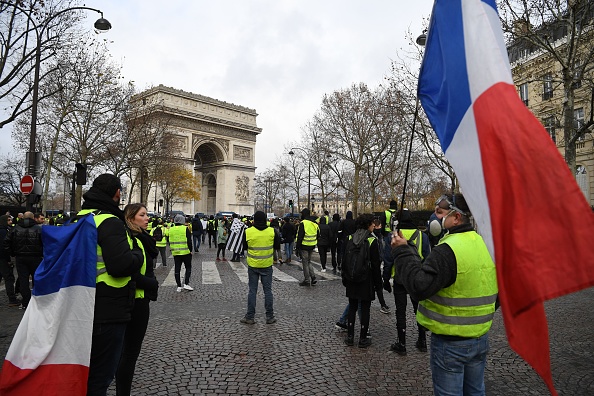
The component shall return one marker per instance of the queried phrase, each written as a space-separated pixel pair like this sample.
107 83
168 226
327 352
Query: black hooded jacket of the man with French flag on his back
113 305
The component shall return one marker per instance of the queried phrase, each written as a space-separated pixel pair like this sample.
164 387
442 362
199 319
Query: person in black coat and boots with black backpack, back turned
363 292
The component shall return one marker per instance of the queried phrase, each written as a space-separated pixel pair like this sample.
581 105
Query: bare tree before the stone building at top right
564 31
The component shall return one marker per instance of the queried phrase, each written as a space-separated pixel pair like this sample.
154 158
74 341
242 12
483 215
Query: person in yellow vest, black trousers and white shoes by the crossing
180 243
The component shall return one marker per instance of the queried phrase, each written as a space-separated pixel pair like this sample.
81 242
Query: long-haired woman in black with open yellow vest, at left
146 290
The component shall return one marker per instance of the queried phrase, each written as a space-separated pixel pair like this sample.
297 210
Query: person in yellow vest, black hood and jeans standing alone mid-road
260 241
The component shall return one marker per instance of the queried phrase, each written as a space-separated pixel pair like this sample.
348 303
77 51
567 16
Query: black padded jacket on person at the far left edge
24 240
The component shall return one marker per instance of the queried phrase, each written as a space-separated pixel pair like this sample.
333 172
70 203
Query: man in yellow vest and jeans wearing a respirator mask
456 287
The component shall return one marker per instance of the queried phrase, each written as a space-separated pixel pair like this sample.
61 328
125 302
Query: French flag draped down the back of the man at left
50 351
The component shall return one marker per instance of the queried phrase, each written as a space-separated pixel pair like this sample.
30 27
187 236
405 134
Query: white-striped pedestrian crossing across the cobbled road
211 274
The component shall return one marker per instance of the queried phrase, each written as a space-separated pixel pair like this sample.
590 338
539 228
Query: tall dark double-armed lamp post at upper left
101 24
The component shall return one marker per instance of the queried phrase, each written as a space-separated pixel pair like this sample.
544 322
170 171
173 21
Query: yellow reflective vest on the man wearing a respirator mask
466 308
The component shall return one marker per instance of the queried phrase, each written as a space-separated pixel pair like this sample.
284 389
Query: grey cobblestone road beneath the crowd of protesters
195 344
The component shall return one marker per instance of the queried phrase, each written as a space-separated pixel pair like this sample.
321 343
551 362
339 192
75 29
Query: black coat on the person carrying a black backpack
366 290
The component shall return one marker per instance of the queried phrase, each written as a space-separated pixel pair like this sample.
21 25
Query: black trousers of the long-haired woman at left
135 331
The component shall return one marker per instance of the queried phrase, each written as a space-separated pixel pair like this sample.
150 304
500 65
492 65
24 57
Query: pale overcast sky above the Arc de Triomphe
278 57
